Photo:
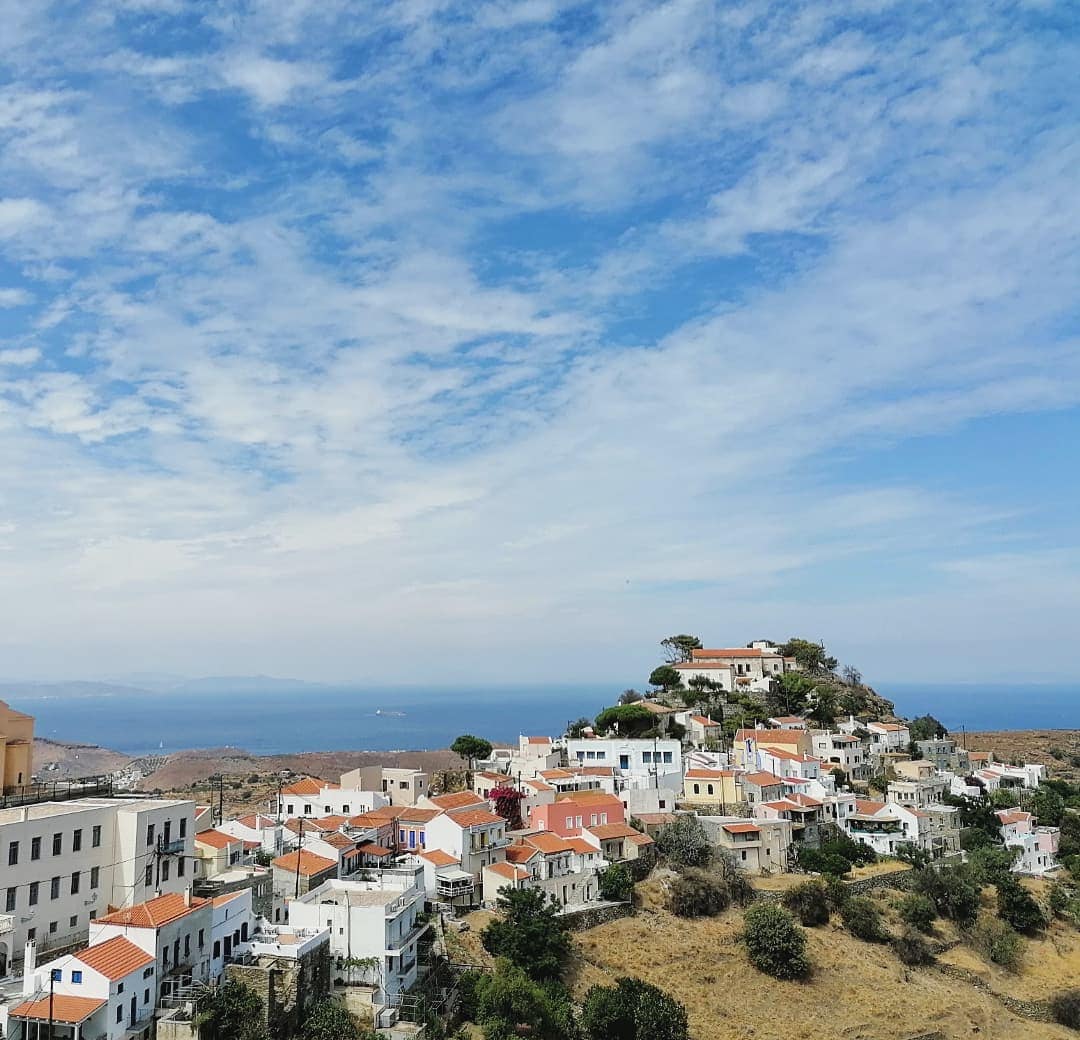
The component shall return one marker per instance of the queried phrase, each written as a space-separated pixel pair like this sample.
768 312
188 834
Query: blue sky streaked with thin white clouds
494 342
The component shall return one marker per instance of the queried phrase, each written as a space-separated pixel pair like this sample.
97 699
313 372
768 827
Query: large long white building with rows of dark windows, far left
65 865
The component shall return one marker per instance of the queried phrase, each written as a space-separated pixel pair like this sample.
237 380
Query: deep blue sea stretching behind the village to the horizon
313 718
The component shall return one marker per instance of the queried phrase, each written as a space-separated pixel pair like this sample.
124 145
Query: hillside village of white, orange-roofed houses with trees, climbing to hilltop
761 780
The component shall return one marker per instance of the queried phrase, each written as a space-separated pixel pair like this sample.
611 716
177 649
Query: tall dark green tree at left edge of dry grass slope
531 935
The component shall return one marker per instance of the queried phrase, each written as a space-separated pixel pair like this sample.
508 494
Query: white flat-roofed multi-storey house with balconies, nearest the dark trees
374 922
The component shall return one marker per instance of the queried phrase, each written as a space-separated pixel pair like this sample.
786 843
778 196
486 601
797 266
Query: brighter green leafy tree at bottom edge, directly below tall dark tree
508 1001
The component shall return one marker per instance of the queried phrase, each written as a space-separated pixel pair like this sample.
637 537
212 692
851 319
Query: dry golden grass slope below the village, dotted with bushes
858 992
